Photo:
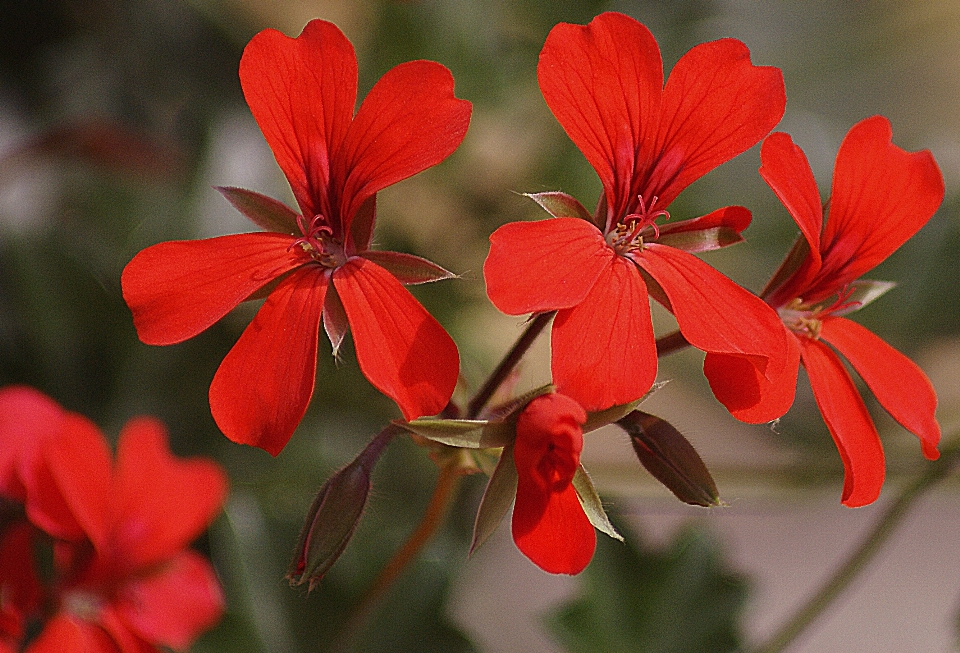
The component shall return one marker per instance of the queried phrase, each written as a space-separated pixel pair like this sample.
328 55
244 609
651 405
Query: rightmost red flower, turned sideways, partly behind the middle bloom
881 196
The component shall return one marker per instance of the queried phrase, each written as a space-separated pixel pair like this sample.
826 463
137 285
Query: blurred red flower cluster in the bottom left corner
122 576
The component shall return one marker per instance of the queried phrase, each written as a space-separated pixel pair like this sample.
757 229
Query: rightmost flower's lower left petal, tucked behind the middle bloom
748 394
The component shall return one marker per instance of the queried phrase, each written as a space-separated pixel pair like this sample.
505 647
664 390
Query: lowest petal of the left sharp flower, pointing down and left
264 384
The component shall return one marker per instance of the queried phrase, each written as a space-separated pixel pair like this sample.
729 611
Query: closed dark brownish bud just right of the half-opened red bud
671 459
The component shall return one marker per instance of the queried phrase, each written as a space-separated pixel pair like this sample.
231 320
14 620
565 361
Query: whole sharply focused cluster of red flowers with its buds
592 274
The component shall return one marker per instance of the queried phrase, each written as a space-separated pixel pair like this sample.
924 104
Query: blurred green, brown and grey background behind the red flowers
118 116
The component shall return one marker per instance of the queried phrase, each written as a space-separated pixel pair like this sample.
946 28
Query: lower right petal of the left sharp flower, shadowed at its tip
402 350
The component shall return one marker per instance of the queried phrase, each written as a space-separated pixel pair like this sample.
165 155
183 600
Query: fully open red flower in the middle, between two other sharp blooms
647 142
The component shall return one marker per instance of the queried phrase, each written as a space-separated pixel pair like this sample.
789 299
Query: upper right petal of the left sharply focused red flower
409 122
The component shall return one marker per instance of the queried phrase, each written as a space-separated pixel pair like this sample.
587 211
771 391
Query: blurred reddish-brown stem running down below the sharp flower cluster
440 501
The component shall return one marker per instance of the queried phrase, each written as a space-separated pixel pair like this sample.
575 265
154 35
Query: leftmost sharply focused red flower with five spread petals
316 264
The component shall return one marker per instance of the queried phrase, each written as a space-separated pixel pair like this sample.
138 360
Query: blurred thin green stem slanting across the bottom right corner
861 556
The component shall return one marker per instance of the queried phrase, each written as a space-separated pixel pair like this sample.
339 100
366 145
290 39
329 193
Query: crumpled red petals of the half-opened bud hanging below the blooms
549 524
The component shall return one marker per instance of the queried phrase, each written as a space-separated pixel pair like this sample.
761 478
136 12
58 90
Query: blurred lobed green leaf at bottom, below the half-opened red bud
635 599
